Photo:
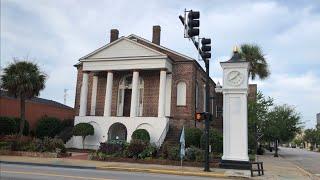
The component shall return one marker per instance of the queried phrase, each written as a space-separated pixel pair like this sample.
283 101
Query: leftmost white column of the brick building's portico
84 94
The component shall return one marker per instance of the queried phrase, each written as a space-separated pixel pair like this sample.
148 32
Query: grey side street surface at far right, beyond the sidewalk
307 160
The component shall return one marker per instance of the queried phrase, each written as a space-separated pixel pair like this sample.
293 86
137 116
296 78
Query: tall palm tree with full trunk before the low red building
24 80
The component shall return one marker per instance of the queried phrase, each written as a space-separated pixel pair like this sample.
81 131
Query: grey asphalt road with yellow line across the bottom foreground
19 172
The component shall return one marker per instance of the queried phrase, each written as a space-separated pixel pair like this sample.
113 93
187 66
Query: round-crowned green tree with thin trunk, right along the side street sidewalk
281 125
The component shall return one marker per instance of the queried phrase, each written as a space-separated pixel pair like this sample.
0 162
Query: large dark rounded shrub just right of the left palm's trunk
48 127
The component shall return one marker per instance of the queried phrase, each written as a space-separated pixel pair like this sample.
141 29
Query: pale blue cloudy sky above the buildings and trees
55 34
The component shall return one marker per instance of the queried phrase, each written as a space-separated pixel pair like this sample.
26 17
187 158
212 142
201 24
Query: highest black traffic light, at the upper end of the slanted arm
193 23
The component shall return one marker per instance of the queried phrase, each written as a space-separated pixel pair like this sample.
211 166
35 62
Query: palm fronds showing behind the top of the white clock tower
258 64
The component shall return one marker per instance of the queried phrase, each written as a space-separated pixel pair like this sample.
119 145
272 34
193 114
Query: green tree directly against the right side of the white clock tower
257 114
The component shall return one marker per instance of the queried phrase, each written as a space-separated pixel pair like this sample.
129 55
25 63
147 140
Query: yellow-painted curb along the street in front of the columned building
163 171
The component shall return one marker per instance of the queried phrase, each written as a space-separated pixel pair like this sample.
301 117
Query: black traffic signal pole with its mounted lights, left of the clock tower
191 24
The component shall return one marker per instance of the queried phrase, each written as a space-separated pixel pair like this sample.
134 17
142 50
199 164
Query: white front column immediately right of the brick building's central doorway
134 95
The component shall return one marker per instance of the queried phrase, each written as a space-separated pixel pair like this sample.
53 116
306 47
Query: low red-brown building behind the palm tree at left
35 108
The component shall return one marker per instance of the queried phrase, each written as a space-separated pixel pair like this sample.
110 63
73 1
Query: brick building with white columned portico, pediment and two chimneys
133 83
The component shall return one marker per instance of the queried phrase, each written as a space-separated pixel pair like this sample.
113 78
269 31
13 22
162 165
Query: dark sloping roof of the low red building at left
5 94
